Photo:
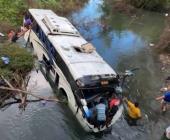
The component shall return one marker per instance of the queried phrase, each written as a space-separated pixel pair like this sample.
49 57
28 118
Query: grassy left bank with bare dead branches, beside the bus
15 65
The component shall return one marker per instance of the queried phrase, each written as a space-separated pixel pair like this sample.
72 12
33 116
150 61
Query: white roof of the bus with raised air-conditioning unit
80 56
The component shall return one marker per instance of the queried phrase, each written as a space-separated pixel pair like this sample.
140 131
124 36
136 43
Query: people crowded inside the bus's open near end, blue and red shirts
100 113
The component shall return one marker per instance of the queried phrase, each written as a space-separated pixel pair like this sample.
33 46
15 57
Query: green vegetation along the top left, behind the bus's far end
12 11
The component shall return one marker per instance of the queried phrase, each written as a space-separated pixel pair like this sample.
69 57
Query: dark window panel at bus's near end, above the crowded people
96 86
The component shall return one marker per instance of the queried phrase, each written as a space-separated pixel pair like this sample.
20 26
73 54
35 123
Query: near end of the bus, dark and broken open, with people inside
93 89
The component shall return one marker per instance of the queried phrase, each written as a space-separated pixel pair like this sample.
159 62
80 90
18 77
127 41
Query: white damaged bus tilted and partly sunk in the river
74 66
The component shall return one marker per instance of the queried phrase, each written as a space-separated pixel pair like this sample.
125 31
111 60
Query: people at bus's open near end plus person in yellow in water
101 113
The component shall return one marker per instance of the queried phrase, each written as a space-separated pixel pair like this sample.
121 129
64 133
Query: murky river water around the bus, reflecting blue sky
123 41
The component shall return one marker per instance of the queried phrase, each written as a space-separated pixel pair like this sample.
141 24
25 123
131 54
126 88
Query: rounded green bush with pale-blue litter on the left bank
21 61
